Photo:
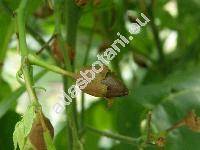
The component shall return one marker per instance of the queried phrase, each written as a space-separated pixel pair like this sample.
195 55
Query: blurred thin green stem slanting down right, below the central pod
122 138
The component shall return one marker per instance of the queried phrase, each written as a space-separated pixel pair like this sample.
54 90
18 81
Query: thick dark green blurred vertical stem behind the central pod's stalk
72 17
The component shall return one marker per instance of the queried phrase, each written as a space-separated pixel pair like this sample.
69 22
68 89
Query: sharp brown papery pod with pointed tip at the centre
105 84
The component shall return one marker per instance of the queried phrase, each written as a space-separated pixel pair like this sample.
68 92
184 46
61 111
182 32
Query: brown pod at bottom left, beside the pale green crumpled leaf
36 135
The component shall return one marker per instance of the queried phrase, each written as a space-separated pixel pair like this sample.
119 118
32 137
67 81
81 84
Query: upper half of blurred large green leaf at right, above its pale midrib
182 81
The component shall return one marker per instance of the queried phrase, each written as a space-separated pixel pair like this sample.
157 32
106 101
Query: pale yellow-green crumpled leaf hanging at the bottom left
23 128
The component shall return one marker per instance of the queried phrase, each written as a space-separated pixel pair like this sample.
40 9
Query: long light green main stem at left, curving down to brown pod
25 65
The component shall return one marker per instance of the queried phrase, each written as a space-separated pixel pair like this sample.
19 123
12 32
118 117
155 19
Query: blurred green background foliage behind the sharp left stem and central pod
161 68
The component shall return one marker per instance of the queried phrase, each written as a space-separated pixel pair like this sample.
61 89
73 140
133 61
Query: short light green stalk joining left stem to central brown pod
36 61
